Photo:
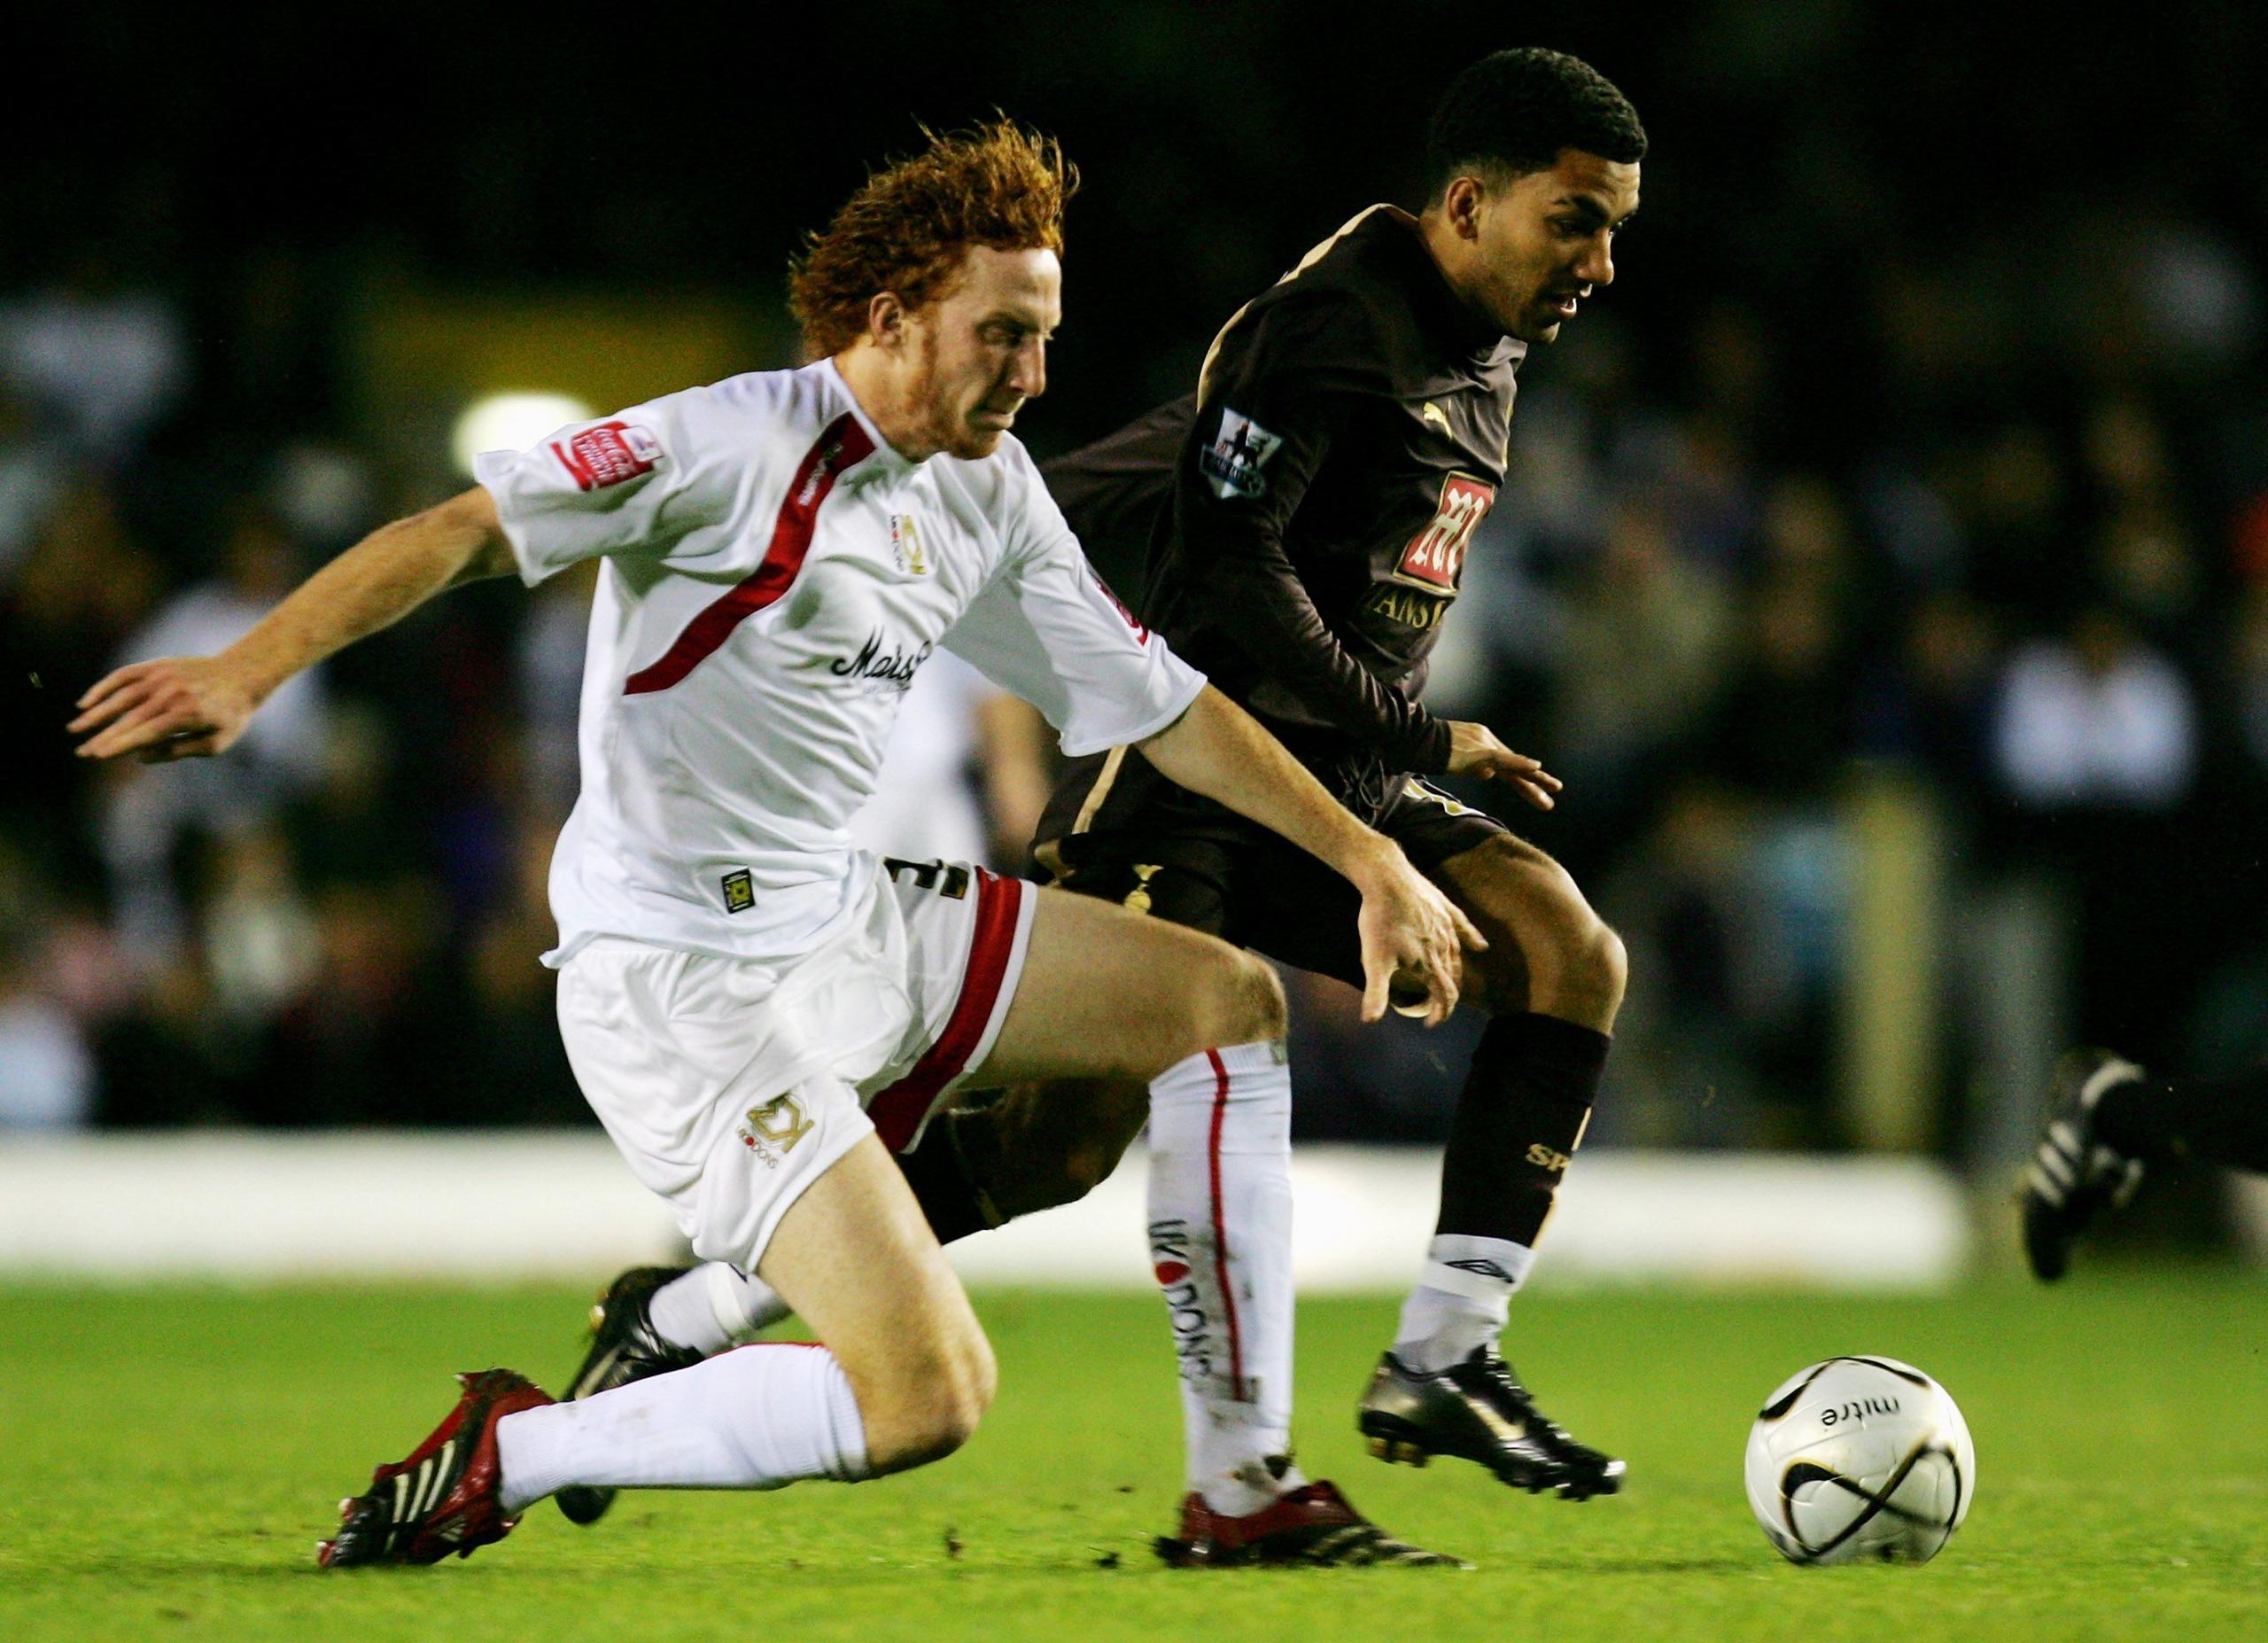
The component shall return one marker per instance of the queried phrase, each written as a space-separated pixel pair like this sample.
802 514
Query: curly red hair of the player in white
906 228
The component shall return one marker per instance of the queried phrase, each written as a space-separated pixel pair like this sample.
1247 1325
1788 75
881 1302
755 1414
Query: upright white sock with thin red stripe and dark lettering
1221 1247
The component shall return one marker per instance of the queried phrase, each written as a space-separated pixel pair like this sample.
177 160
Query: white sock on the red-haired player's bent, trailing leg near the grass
750 1419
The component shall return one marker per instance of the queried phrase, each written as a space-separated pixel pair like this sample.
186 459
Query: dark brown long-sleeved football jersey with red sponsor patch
1305 516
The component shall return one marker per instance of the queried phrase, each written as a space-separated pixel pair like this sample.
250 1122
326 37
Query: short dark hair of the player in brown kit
1514 112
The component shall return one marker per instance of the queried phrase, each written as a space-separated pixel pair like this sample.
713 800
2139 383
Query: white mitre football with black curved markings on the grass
1861 1460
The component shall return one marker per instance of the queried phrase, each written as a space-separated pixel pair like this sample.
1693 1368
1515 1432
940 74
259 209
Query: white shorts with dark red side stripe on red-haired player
734 1084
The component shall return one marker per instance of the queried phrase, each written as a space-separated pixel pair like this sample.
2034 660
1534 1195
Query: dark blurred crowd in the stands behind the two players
1884 564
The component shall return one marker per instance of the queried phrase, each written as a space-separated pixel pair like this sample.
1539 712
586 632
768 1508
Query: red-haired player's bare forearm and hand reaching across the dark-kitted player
1410 929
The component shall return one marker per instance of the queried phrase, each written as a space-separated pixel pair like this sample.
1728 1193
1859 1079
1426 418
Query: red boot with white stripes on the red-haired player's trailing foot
443 1499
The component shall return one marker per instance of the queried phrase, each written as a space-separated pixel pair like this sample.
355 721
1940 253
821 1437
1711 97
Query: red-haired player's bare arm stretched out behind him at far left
192 707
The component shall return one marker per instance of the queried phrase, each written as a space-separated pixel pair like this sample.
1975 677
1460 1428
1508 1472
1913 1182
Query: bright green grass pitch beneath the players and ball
169 1458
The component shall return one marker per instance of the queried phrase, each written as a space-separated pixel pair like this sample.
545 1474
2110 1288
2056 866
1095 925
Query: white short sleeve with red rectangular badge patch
629 485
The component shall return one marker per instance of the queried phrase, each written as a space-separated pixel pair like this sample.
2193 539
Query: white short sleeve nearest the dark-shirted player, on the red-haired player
1051 632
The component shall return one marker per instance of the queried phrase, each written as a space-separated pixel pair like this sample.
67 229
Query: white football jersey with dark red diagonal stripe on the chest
772 580
